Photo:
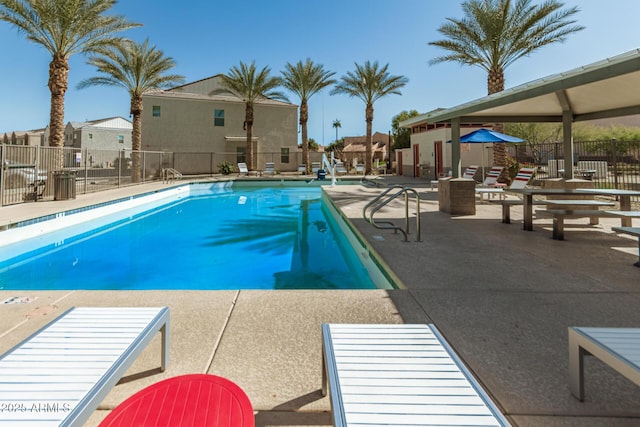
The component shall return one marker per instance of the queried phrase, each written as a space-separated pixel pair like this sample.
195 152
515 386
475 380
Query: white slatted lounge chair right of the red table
400 375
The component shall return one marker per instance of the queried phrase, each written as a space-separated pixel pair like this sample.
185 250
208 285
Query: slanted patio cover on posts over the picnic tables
604 89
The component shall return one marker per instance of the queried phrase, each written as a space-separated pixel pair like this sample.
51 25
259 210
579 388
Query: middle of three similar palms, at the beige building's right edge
305 80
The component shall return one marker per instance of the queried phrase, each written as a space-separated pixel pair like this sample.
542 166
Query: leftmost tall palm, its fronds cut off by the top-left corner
64 28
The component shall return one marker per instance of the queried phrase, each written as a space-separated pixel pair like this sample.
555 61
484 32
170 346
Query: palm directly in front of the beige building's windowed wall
251 85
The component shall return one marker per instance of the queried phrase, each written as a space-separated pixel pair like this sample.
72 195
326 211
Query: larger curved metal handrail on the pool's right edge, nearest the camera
387 197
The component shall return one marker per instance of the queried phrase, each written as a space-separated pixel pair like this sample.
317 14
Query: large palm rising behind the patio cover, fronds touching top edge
495 33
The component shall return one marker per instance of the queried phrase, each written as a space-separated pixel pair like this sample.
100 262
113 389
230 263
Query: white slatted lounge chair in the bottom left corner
73 362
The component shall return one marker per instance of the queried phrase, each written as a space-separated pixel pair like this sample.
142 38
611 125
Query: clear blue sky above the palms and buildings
208 37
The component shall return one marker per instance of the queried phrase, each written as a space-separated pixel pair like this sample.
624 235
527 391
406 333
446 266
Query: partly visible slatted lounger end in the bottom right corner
617 347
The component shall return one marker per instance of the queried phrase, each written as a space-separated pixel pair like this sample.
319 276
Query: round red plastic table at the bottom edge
195 400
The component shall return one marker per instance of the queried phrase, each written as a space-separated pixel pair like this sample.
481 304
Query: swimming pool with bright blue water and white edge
197 236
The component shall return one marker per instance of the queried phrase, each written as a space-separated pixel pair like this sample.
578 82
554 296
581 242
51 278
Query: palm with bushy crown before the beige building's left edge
138 68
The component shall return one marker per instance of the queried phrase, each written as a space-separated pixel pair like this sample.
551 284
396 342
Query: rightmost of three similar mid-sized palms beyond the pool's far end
369 83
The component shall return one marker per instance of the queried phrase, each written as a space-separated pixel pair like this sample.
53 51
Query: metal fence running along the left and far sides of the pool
30 172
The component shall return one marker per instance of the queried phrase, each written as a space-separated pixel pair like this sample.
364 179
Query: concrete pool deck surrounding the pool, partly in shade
501 296
